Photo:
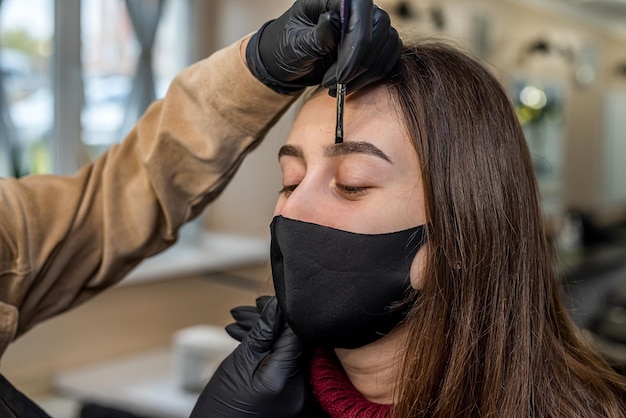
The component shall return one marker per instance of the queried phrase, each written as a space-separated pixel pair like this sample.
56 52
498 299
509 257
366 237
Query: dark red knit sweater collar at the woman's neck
335 393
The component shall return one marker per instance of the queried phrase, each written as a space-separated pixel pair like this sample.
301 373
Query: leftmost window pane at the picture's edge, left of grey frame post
26 31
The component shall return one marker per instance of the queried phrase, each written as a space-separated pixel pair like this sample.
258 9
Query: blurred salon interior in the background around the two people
72 77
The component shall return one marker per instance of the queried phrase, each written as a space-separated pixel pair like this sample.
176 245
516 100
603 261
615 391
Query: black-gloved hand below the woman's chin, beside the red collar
263 377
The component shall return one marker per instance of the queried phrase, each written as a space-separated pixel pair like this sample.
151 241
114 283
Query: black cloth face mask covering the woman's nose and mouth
339 288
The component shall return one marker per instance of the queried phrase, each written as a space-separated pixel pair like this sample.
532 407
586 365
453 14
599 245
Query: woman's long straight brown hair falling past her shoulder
489 336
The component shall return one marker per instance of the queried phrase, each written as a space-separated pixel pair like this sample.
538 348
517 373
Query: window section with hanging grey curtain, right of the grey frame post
110 58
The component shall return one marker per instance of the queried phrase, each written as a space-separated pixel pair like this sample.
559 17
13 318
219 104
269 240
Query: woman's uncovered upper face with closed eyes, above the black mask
369 184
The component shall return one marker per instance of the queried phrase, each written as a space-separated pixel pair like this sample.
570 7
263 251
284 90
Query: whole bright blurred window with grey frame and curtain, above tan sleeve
70 73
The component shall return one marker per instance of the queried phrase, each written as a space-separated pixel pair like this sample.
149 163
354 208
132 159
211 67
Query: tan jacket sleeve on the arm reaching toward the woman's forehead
64 239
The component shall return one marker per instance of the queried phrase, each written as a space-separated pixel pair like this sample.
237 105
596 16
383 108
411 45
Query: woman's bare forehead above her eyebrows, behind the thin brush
370 116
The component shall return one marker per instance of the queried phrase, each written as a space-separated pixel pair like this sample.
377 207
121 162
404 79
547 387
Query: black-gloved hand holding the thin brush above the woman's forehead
302 47
